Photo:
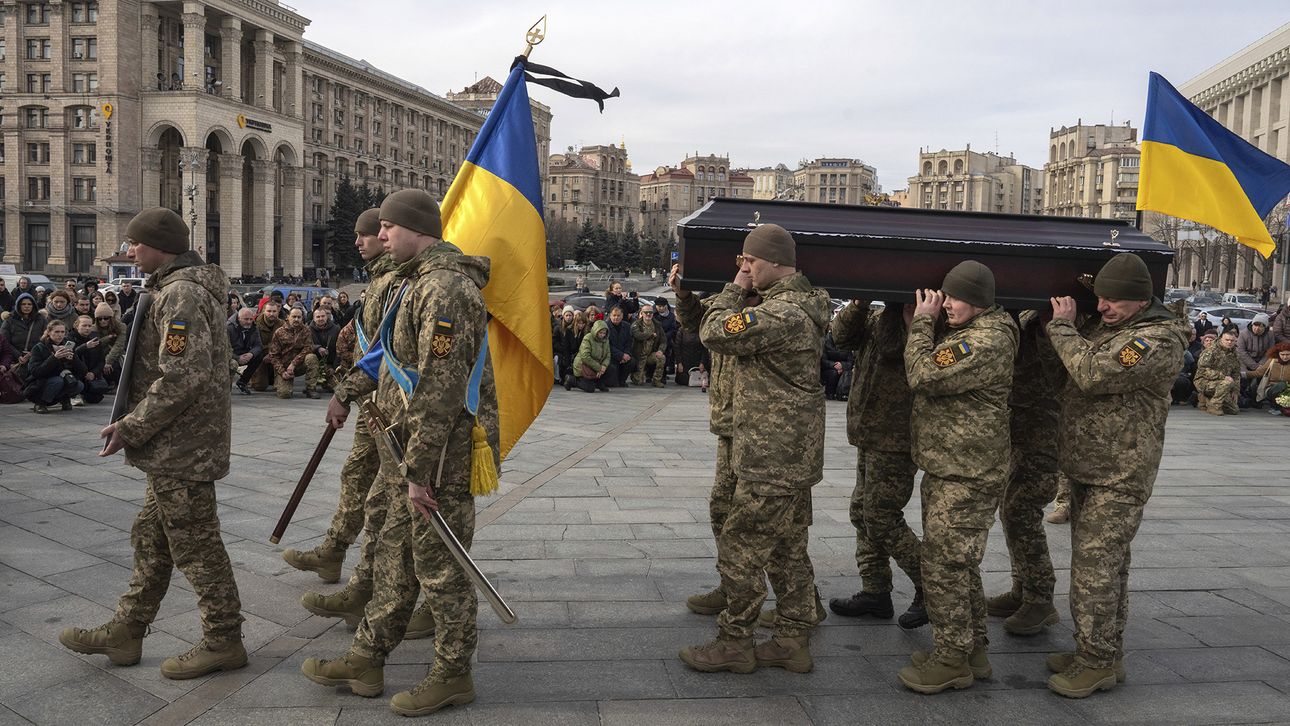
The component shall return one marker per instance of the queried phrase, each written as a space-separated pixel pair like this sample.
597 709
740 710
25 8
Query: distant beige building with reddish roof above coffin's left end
670 194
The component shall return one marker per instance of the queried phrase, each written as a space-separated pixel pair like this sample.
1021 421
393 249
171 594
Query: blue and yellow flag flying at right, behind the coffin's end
1196 170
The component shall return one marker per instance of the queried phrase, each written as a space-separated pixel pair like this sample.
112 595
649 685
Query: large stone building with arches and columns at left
216 109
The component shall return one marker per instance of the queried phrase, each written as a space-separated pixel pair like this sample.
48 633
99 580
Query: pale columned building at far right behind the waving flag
1249 93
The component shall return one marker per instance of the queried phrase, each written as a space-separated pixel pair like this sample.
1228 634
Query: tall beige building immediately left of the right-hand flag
1092 172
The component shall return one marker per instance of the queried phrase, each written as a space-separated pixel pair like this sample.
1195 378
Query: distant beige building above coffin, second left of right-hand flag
969 181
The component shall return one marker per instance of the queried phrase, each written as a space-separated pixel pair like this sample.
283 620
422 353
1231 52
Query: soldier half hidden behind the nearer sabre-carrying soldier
362 504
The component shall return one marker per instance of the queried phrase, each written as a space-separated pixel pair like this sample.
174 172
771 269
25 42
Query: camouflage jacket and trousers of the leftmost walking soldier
179 431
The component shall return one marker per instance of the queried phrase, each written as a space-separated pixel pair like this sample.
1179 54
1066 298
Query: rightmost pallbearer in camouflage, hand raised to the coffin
1113 435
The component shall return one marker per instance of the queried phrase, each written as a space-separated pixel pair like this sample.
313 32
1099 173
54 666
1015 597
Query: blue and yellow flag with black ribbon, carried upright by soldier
495 210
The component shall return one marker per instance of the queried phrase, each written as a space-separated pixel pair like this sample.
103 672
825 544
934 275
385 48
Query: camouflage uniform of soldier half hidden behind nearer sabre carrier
361 467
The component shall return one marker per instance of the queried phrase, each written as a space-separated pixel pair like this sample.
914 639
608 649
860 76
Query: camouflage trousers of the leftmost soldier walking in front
179 528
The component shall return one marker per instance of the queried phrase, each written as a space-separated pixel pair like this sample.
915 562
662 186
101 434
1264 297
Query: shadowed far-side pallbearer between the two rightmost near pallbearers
1038 378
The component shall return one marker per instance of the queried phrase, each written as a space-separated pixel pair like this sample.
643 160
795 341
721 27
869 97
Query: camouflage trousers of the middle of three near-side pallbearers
958 518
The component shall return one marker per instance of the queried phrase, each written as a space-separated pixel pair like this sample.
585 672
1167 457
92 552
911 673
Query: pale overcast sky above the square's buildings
772 83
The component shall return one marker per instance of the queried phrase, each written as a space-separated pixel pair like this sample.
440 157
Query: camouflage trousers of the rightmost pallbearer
1104 523
